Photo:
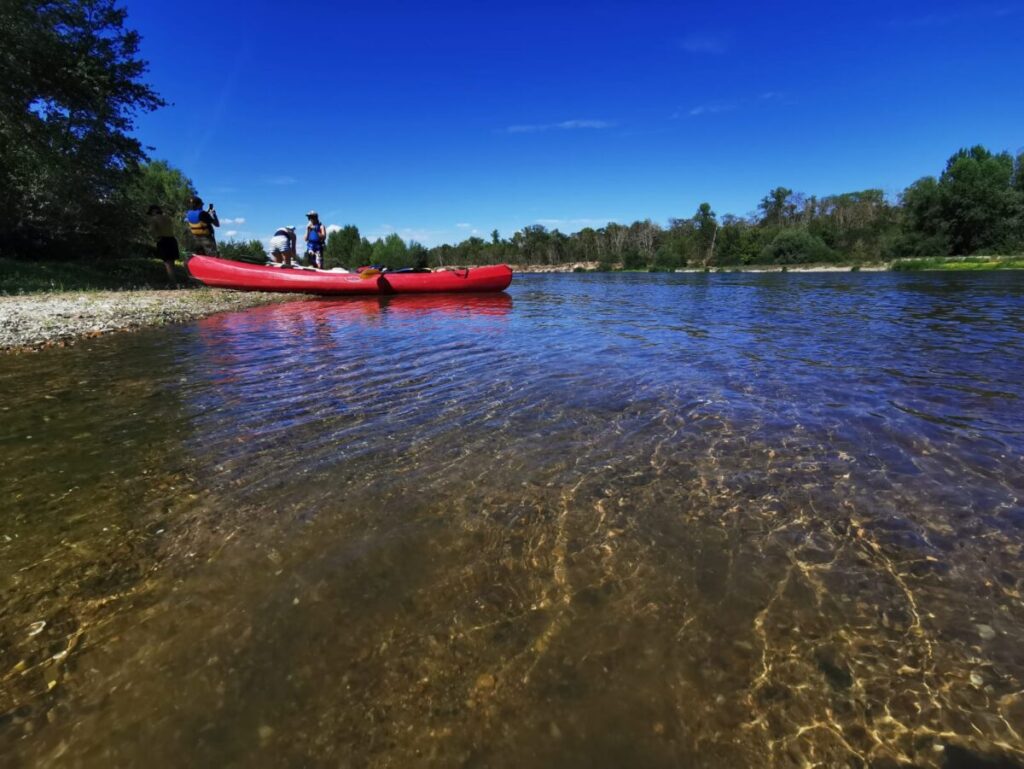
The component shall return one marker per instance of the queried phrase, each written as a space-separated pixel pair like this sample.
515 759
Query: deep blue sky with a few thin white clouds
443 120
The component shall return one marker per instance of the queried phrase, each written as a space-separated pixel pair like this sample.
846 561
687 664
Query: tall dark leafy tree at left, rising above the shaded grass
70 88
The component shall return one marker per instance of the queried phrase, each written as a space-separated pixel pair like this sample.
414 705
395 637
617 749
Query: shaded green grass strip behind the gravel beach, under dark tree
23 277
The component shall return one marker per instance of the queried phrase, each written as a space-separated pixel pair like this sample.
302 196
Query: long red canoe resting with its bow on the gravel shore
225 274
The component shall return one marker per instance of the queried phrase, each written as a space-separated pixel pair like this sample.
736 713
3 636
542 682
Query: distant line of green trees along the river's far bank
975 206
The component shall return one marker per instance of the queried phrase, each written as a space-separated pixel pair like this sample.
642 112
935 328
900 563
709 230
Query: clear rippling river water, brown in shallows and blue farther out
703 521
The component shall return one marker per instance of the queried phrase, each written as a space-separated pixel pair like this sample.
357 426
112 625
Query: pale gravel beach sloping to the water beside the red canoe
34 321
